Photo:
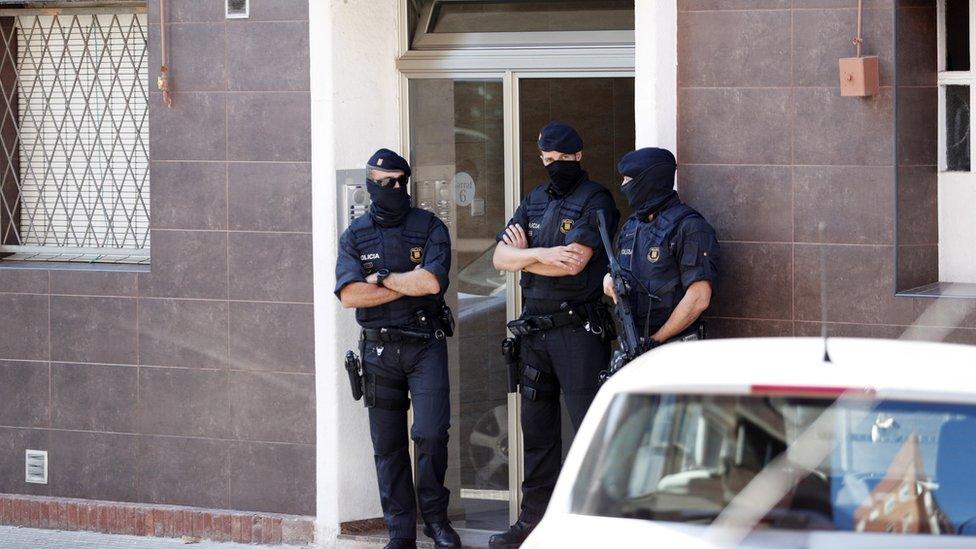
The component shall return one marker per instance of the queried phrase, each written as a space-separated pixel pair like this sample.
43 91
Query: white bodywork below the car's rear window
568 530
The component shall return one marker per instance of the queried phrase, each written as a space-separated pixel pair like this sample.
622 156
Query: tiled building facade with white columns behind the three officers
206 376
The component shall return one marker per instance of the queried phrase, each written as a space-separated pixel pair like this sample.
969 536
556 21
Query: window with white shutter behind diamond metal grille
74 130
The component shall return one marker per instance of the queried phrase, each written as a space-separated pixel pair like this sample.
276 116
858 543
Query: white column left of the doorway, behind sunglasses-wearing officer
355 110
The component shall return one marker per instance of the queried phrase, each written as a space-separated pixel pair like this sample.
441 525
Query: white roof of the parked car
887 368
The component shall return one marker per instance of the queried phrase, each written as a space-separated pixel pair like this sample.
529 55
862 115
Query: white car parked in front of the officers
763 443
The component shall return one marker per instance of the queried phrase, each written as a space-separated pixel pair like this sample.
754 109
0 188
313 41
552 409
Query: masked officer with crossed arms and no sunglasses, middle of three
554 241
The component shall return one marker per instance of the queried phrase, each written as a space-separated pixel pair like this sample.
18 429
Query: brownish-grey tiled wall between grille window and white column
191 384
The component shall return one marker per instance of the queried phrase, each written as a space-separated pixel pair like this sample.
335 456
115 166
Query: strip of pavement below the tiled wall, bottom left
13 537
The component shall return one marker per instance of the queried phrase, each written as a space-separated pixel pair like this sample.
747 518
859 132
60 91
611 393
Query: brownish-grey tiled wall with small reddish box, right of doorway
767 149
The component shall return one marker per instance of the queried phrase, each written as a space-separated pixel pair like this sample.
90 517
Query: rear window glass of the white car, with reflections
890 466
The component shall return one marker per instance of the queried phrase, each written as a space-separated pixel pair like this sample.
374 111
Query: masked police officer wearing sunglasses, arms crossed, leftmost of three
393 268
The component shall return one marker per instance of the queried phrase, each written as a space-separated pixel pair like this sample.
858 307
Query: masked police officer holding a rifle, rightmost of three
667 250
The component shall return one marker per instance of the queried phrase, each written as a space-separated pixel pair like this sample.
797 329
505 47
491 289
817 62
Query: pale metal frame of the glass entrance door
510 65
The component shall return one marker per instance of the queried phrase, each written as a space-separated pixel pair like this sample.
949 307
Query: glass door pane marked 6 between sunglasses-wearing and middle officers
457 154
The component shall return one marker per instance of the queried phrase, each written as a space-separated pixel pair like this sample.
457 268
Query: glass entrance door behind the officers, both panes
472 143
